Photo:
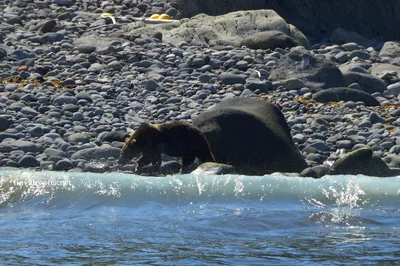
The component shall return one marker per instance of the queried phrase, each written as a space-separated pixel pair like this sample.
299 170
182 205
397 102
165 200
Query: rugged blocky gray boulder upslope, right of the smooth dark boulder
314 71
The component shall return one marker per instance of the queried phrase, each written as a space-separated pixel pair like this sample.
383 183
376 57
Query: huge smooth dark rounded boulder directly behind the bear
251 135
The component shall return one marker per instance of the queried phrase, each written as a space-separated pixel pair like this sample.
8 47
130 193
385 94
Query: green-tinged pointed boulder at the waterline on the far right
361 161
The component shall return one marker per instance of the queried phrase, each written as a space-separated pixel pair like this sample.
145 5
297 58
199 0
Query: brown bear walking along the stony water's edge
176 138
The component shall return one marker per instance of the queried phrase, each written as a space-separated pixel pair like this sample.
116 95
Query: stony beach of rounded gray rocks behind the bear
73 82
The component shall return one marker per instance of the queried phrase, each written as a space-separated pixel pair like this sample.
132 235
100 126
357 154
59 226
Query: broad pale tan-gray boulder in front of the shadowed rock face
236 28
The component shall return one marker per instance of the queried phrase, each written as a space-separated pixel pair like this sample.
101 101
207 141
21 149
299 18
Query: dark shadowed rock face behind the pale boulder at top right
315 18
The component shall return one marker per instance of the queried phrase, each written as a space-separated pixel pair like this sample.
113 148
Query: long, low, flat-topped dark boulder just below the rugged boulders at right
345 94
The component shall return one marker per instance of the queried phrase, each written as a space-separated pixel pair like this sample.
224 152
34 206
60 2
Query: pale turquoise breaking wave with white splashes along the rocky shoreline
343 194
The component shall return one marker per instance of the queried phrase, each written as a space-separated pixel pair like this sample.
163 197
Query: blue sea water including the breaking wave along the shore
49 218
